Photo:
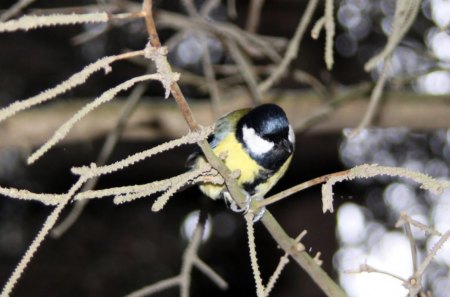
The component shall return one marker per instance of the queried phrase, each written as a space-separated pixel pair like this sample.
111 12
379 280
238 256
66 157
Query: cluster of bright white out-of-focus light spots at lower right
367 234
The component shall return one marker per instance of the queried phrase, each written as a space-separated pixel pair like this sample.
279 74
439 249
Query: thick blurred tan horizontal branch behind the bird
398 109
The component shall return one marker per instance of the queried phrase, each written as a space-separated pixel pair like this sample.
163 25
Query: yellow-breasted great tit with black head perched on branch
258 142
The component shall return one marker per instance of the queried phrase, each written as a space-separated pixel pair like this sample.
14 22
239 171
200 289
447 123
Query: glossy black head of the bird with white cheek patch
267 136
